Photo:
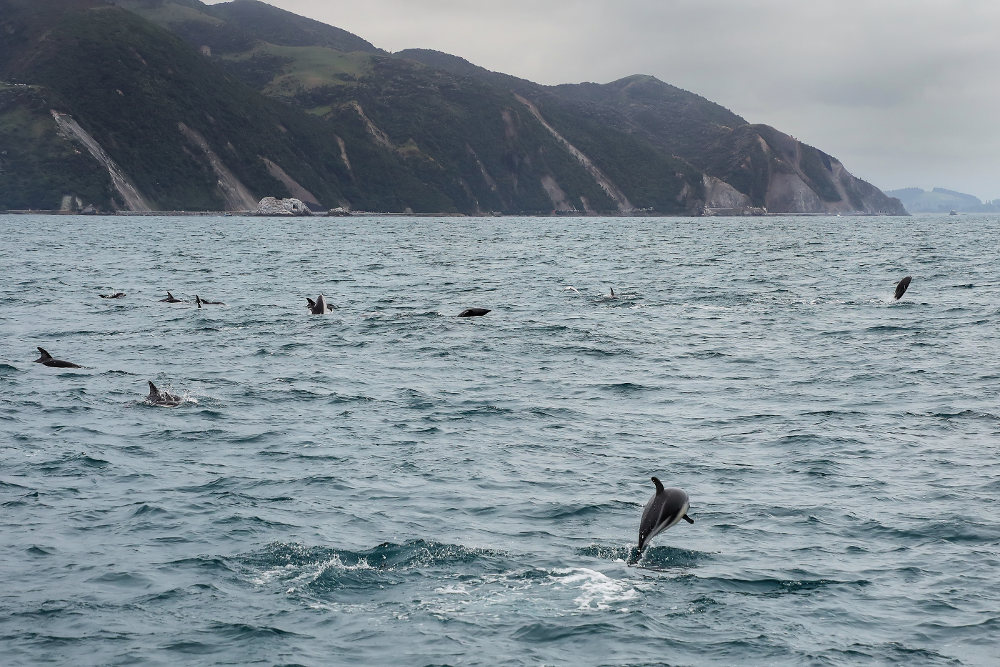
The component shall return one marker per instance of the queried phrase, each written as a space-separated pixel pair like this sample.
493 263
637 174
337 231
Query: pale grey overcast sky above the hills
904 92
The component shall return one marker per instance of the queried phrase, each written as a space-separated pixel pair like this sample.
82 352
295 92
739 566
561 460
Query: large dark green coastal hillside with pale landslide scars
173 104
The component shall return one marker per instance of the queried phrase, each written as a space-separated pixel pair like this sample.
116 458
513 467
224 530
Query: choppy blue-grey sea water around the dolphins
393 485
